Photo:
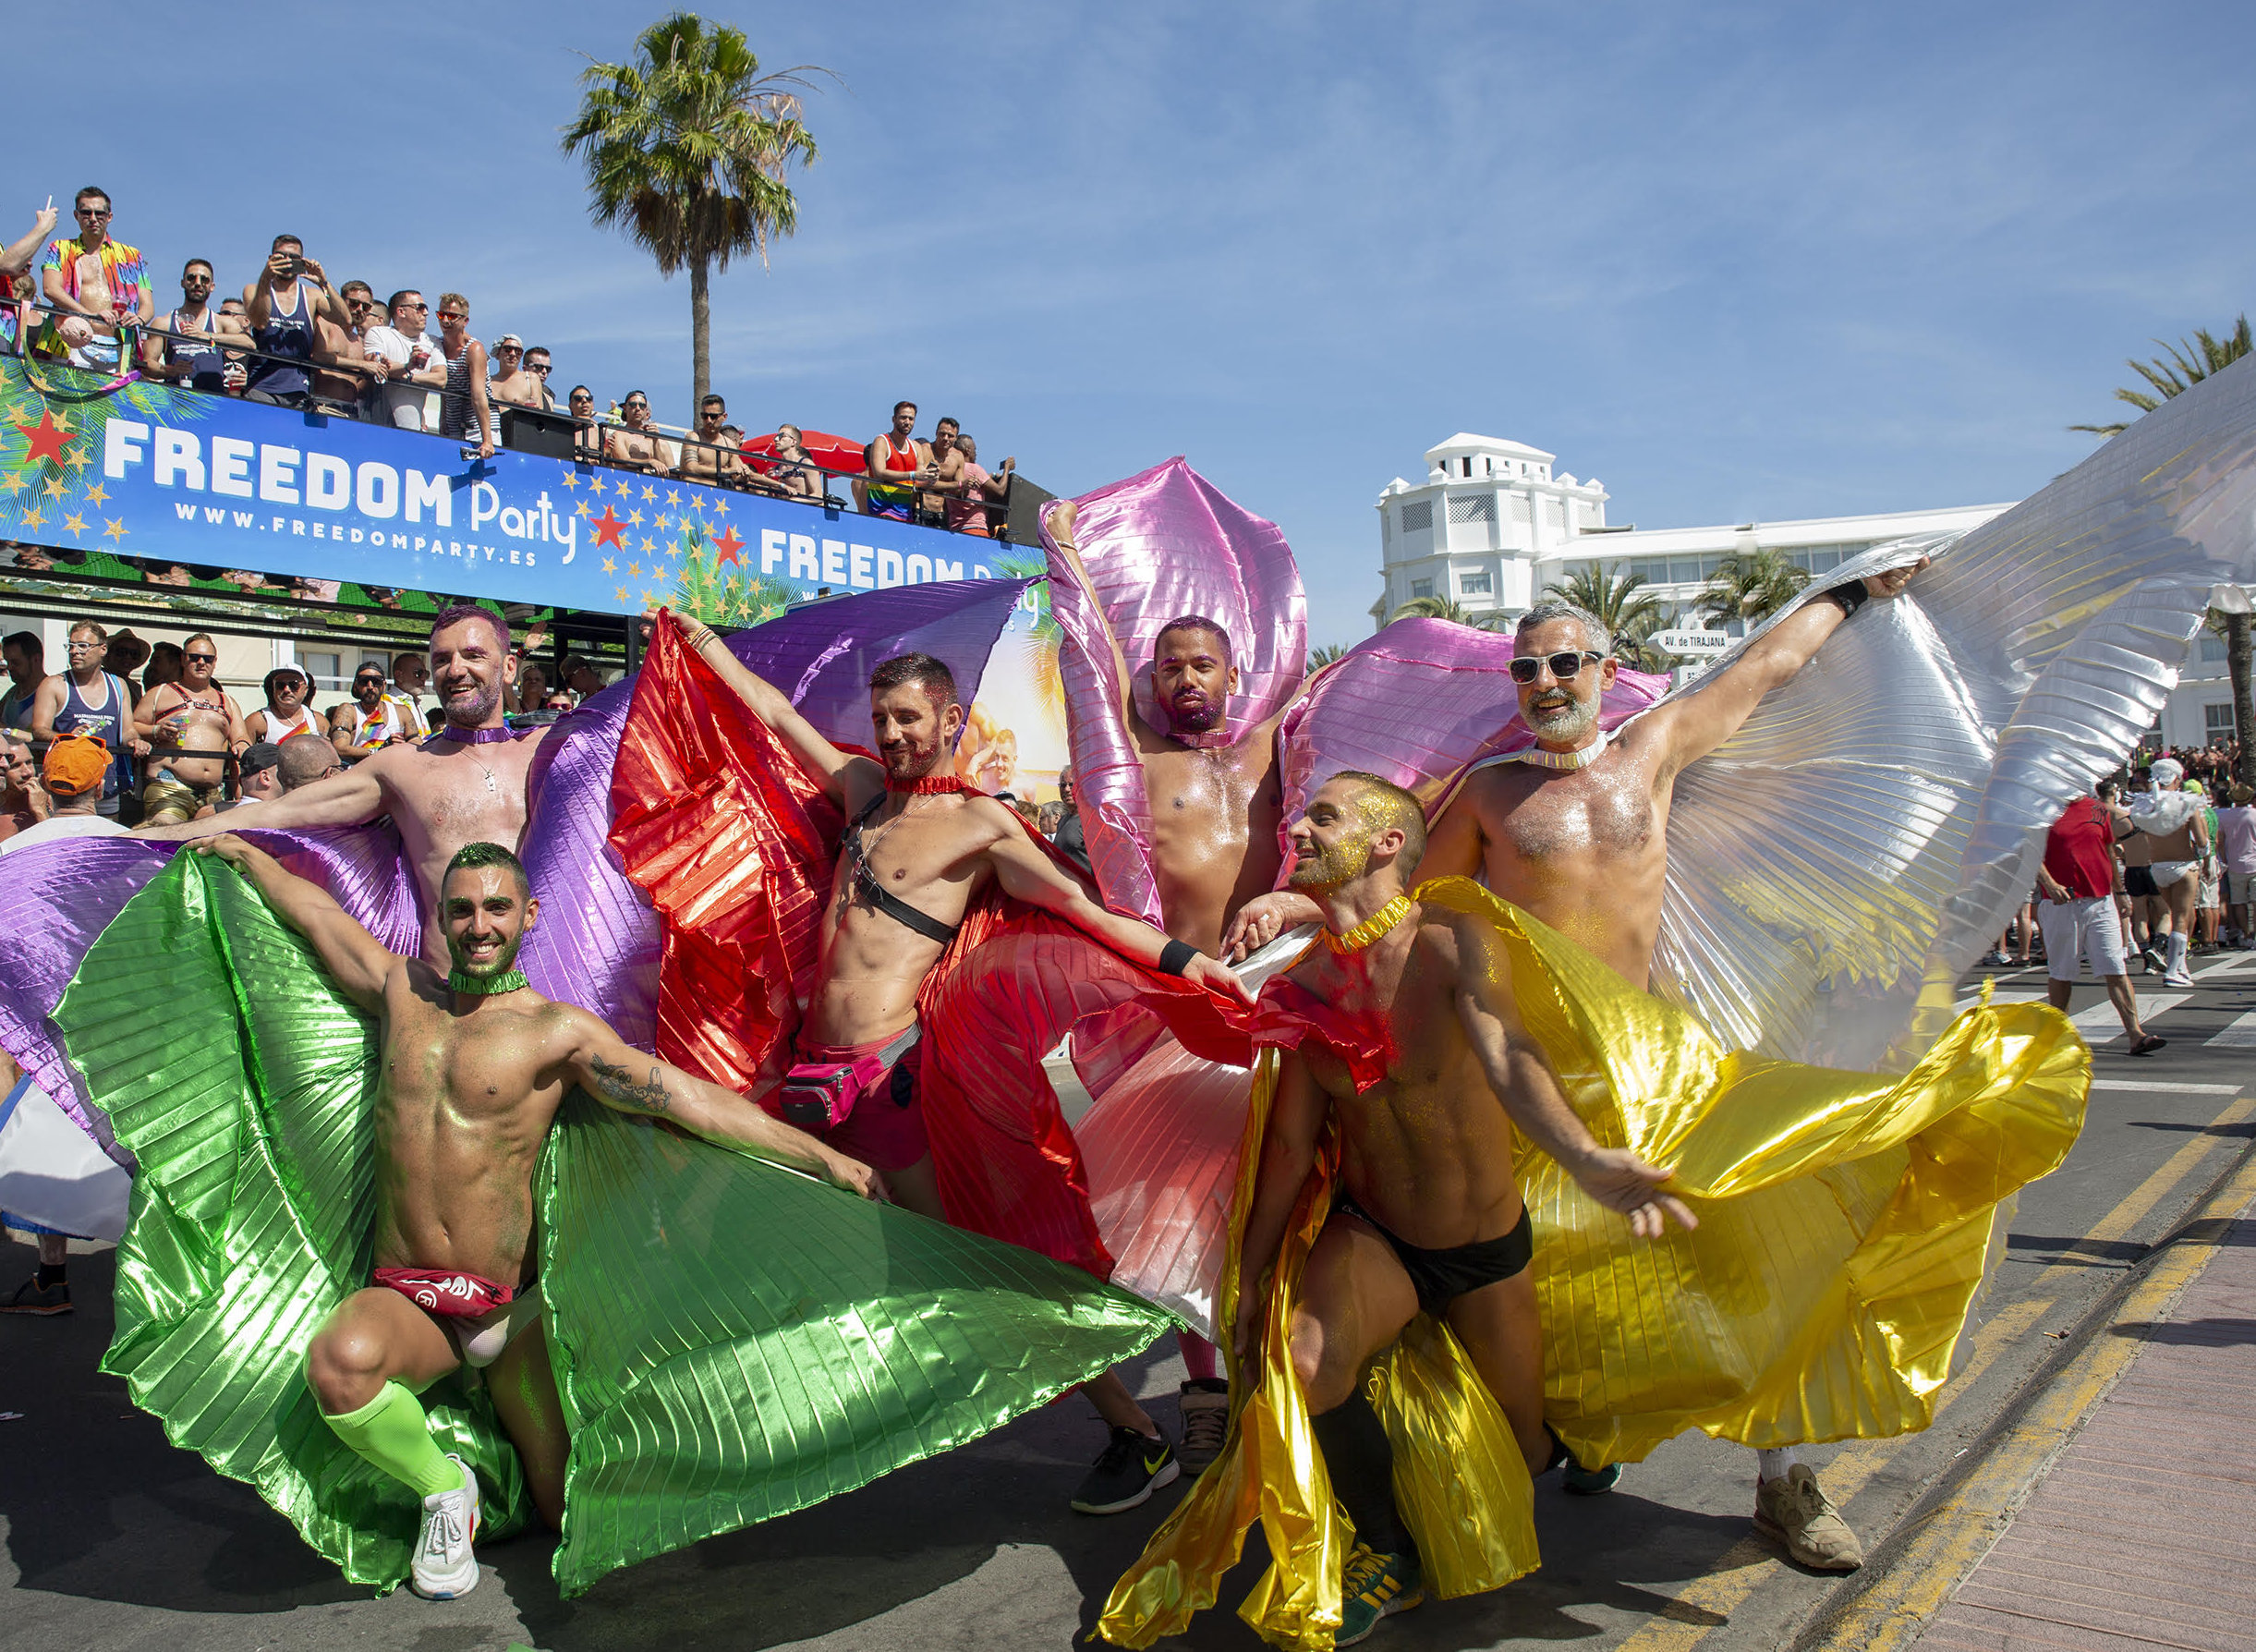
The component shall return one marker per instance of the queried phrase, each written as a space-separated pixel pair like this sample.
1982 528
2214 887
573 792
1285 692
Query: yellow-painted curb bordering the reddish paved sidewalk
1968 1509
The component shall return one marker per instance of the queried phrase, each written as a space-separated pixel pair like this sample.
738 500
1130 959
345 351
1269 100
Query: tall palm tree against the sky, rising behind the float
689 148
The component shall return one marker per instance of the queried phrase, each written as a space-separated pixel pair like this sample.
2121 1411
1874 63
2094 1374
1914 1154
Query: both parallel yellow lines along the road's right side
1955 1536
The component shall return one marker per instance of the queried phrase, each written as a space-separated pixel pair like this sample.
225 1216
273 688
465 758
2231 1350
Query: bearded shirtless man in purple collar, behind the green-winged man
466 784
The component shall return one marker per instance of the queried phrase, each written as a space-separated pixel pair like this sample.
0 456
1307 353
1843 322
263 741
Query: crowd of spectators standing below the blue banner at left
177 744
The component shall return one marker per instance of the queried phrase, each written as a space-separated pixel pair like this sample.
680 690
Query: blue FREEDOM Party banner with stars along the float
191 477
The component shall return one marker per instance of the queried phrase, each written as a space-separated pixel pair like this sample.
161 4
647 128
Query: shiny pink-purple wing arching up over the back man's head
1163 545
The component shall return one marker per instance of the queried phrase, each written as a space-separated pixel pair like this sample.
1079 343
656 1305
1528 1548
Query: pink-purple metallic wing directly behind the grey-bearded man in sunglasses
1418 705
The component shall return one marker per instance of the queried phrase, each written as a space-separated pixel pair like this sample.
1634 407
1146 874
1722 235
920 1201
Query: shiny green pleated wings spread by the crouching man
732 1339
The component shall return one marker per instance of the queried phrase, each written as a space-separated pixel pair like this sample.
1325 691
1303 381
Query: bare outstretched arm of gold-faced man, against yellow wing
1531 1091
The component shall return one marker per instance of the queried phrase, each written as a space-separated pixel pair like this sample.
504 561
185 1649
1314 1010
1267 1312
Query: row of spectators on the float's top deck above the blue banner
292 337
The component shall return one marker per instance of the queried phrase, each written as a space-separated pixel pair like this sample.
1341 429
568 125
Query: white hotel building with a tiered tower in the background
1492 525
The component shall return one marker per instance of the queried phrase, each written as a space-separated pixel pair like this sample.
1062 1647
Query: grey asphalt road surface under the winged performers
116 1540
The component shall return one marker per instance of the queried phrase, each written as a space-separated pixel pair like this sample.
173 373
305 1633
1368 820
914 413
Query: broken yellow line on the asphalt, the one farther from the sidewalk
1709 1601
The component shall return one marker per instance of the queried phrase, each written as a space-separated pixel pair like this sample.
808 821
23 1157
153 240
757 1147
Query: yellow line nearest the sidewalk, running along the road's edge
1962 1531
